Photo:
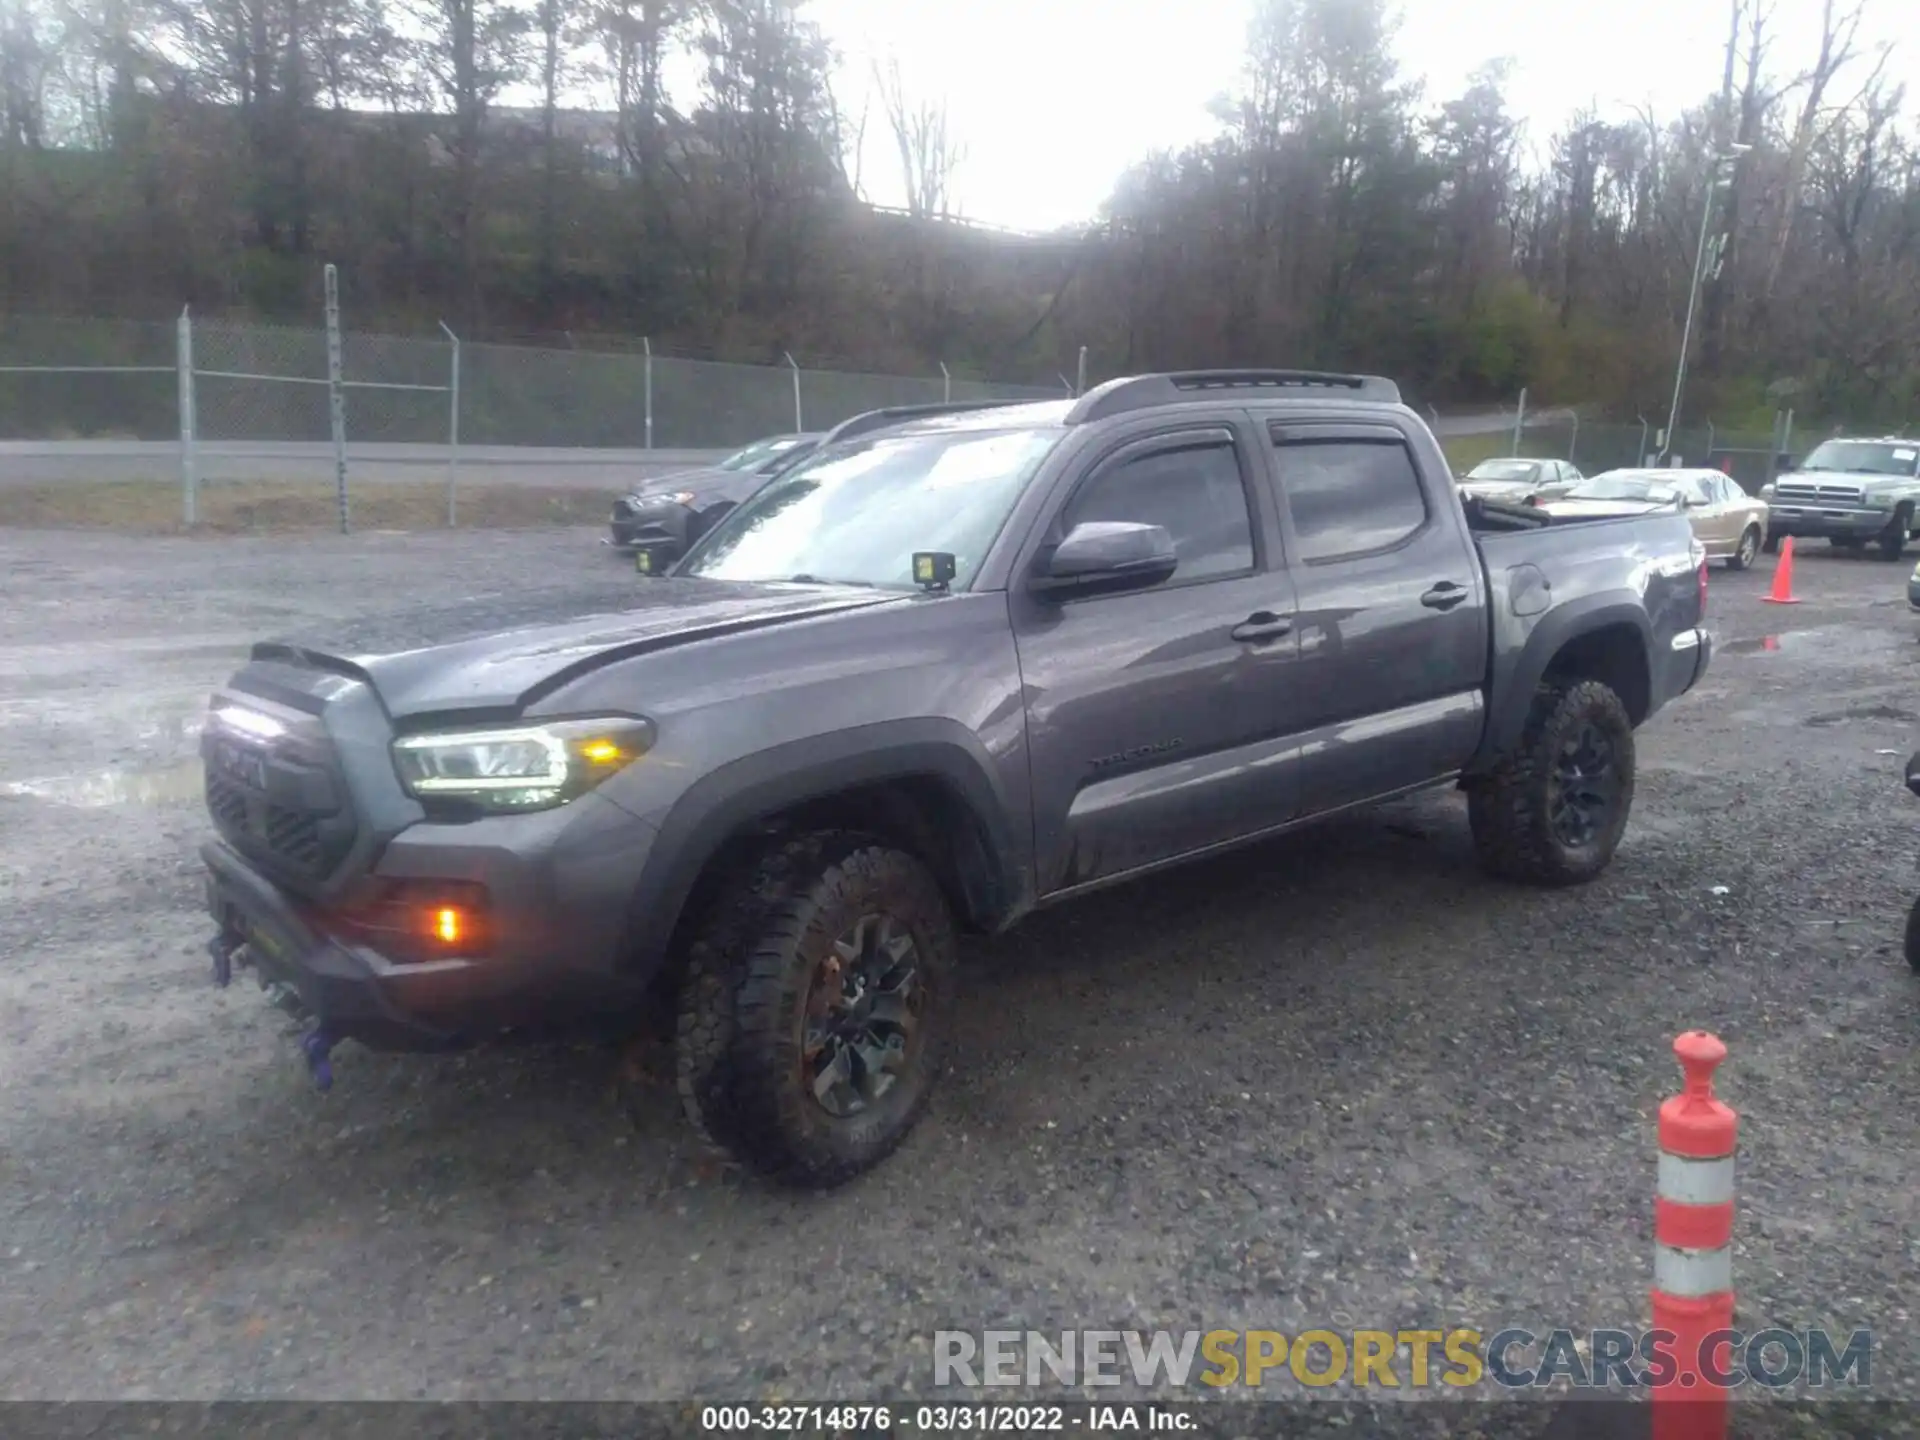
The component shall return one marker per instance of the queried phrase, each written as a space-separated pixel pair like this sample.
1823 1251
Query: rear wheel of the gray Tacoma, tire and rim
1554 809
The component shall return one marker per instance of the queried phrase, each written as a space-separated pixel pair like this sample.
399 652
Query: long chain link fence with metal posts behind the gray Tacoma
256 402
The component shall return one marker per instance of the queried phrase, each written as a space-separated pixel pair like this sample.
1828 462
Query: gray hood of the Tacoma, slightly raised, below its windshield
502 652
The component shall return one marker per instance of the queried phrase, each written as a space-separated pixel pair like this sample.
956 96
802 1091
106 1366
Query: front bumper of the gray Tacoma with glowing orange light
554 959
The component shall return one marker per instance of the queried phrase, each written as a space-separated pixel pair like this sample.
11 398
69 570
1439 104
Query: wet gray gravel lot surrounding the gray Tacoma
1335 1080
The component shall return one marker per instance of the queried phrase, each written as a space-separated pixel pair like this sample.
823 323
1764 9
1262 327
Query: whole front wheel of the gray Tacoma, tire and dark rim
813 1028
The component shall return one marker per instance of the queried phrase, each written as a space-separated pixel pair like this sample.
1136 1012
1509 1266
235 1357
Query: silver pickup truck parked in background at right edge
1854 492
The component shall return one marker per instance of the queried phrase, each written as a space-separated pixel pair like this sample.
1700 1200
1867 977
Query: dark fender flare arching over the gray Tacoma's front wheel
763 784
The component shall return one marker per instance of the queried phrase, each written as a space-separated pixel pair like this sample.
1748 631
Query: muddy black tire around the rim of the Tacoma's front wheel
740 1007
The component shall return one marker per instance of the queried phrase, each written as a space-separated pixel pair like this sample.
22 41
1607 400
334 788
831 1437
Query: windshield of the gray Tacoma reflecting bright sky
857 514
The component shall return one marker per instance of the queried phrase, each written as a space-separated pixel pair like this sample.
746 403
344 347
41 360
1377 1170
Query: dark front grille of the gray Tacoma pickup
279 805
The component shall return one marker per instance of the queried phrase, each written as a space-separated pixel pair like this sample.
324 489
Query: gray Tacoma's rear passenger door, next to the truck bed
1393 613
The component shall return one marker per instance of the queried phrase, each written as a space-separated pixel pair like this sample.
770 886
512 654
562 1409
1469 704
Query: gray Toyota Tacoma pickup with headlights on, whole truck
946 671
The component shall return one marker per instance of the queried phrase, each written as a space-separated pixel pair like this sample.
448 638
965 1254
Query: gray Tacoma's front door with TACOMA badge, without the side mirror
1163 721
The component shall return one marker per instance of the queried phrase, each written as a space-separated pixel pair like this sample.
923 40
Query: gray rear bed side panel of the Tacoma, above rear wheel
1560 583
